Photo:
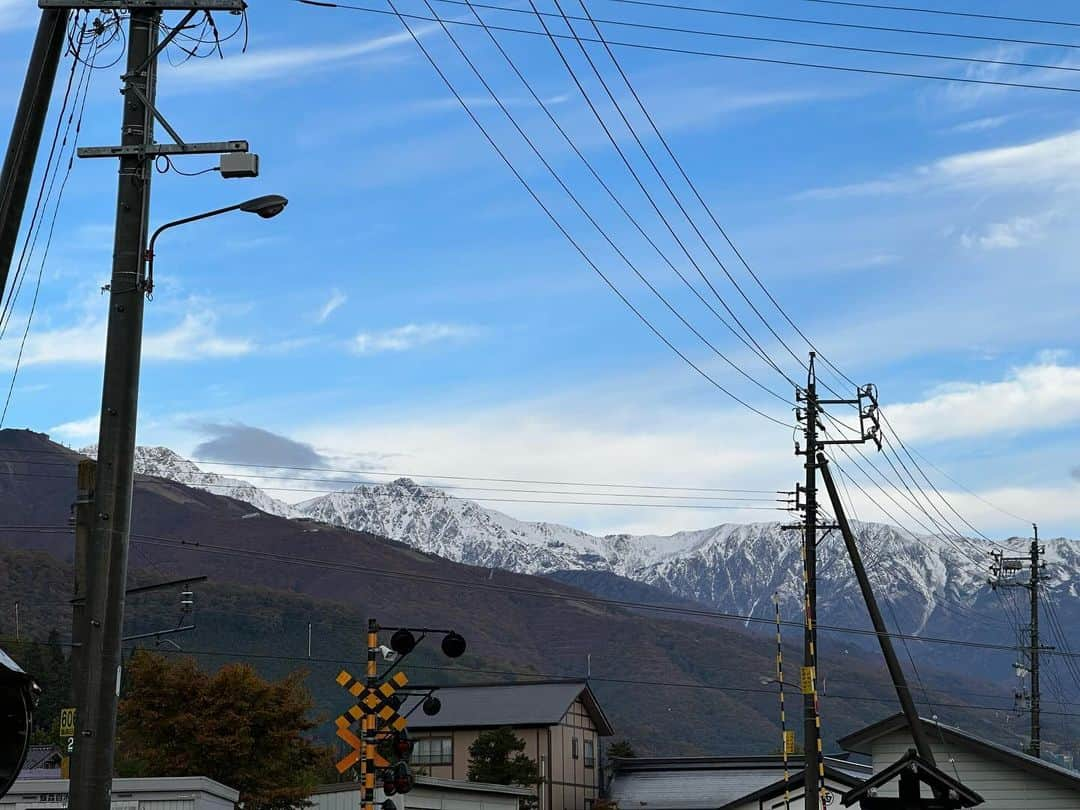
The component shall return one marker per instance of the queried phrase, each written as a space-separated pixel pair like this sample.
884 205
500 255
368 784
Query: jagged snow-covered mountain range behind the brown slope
929 586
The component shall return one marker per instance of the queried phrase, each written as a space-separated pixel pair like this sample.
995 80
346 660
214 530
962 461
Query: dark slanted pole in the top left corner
26 131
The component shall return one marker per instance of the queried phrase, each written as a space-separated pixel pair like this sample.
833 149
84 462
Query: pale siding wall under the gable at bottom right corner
1002 786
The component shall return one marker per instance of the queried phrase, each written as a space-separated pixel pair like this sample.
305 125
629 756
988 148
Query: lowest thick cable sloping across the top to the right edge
711 55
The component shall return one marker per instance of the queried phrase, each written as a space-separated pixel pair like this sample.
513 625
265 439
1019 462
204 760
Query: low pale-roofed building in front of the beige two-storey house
429 794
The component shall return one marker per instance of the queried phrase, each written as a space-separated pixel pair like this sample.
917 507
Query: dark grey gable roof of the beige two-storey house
494 706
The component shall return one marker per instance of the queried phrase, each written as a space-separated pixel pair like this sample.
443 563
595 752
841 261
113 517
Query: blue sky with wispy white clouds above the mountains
414 309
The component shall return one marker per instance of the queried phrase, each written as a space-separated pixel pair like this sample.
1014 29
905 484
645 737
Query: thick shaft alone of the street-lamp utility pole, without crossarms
107 561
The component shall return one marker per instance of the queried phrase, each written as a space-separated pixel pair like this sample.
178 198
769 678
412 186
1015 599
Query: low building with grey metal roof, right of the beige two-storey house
724 782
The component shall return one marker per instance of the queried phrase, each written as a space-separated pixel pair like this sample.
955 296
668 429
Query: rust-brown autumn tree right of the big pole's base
232 726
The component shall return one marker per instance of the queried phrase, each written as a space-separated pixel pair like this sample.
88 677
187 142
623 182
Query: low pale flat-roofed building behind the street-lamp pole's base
164 793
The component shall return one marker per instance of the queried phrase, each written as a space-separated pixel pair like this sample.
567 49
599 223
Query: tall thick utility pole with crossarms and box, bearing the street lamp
106 550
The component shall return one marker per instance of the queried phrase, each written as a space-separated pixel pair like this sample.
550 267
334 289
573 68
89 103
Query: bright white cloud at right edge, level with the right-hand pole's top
1033 398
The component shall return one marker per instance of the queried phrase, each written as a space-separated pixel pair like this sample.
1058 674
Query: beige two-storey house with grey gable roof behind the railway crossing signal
560 721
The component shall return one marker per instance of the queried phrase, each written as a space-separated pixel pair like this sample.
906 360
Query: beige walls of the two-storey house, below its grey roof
568 784
